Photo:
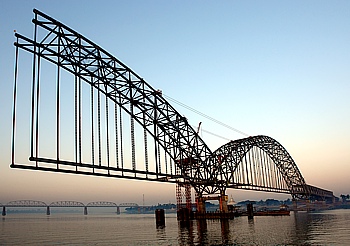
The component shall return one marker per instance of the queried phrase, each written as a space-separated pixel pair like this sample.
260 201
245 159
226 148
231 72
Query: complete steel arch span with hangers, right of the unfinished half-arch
259 163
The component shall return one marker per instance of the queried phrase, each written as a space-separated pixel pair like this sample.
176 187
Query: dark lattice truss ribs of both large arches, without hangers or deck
206 171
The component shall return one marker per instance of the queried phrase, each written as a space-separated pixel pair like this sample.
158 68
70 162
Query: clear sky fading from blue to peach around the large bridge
275 68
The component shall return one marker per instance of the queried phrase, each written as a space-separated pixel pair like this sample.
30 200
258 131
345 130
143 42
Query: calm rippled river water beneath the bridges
316 228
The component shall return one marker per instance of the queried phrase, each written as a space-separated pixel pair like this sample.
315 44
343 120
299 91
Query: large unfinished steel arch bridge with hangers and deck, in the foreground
90 114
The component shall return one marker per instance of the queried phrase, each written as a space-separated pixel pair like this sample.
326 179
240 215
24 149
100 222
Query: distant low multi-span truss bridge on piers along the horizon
62 204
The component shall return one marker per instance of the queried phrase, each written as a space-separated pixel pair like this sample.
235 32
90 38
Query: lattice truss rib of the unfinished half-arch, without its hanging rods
78 55
